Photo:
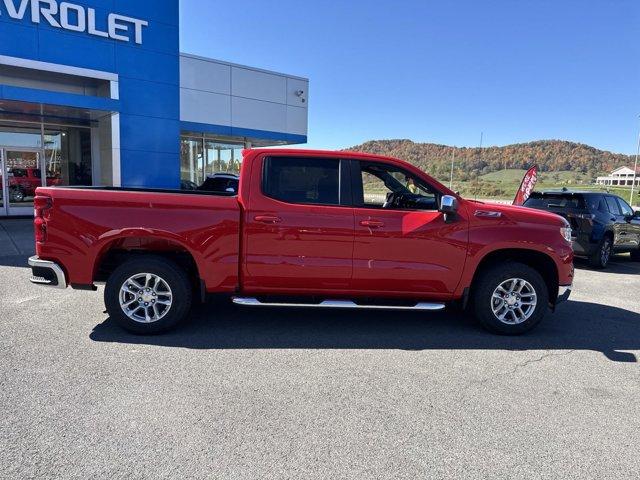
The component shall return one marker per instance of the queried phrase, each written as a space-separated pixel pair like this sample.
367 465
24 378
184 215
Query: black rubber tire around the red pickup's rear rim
169 272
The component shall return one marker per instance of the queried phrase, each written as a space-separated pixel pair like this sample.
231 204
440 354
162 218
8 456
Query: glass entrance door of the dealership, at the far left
21 174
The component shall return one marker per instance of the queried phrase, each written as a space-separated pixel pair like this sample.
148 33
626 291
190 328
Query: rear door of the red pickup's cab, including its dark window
298 226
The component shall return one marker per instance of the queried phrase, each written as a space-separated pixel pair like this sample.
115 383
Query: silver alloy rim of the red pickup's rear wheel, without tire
145 298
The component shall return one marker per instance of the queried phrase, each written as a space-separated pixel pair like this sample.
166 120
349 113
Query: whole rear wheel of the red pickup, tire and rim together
148 295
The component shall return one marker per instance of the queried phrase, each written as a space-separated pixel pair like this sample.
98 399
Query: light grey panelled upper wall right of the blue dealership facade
220 93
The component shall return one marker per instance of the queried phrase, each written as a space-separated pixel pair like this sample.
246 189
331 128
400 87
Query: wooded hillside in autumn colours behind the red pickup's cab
549 155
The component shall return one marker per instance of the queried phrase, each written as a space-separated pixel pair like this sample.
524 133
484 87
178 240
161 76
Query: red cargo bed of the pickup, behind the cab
87 222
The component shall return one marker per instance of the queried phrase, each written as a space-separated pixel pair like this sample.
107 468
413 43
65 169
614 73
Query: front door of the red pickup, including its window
403 245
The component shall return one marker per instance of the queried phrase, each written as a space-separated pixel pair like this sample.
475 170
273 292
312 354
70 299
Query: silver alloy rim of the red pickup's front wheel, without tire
513 301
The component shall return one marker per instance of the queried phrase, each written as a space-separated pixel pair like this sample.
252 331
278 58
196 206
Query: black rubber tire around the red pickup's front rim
483 302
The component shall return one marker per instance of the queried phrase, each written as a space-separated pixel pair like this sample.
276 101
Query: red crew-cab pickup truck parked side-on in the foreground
305 229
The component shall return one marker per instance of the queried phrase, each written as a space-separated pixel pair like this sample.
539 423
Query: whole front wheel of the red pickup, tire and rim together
510 298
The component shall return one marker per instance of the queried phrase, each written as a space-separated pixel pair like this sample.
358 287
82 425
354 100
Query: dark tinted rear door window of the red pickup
314 181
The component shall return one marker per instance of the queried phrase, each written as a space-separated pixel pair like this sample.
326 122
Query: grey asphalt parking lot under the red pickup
274 393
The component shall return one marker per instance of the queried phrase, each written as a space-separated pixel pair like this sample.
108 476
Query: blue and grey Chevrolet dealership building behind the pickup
97 92
